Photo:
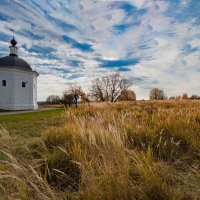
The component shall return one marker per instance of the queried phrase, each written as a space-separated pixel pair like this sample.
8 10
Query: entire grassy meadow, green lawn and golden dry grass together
143 150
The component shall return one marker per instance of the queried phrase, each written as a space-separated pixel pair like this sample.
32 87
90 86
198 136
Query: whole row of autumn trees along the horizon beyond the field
111 88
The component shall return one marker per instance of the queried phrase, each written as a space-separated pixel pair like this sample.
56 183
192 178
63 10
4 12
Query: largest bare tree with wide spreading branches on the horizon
109 88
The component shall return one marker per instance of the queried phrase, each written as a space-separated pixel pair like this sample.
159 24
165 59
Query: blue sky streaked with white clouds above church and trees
154 43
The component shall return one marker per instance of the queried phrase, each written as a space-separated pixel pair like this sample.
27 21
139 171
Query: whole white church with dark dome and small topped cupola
18 82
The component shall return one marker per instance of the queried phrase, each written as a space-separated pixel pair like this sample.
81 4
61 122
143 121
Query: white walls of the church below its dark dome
13 96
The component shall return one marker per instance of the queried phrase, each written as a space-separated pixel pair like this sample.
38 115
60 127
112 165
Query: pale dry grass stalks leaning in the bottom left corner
19 180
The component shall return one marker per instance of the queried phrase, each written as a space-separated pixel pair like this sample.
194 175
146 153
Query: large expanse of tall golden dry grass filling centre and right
126 151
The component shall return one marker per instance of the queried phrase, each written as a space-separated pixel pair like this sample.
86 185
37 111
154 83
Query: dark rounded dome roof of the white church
14 62
